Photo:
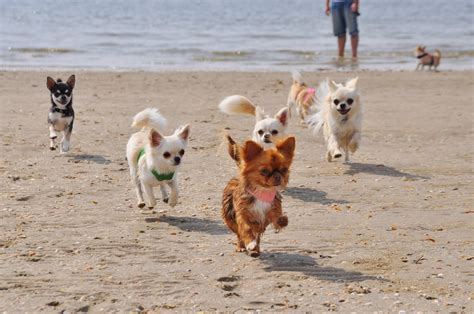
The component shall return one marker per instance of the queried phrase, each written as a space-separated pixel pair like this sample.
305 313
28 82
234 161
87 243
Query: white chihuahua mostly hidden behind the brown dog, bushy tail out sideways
268 131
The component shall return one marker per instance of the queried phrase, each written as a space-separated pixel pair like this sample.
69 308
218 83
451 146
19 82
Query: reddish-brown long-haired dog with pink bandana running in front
252 201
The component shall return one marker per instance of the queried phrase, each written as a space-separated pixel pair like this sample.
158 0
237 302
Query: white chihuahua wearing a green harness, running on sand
153 158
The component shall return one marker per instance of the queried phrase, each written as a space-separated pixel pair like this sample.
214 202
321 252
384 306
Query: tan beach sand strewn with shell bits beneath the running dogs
391 231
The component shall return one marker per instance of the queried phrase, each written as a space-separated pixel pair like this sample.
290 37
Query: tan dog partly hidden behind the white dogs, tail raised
301 96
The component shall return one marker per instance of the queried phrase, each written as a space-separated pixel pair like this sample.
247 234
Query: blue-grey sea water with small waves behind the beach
273 35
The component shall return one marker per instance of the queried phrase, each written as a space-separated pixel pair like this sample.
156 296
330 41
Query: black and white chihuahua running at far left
61 113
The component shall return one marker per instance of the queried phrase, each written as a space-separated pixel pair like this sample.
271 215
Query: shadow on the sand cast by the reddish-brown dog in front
307 265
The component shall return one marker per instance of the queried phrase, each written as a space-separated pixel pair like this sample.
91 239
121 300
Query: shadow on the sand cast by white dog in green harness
192 224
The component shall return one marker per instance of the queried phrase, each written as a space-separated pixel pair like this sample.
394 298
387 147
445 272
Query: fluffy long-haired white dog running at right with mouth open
340 114
